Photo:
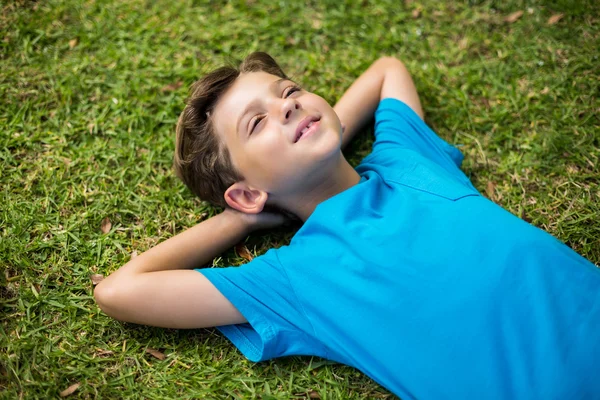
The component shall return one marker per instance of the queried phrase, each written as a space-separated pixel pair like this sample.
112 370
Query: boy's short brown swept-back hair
201 159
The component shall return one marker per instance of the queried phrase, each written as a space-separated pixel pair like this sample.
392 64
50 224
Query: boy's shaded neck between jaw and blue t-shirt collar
326 184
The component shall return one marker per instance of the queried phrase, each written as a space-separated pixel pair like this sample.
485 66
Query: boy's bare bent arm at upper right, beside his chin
386 77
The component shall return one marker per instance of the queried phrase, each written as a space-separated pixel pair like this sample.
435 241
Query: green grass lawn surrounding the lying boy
90 94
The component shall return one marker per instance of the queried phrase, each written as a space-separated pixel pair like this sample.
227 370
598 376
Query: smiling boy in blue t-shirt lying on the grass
401 269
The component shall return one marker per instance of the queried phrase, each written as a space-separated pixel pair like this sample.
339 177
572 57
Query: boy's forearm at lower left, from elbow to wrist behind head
193 247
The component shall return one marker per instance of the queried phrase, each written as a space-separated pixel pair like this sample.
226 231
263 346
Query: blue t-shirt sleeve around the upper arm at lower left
262 293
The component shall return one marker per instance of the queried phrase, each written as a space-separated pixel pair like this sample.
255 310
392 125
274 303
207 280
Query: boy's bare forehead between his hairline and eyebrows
247 89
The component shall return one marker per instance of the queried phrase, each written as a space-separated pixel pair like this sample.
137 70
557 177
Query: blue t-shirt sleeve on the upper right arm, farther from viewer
397 126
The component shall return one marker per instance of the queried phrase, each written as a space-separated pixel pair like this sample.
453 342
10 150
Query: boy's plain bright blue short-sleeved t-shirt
423 284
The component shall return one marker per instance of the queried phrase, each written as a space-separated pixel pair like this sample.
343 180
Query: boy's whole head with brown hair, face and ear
242 140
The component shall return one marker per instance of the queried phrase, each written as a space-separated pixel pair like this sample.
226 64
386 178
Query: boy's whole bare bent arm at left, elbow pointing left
159 288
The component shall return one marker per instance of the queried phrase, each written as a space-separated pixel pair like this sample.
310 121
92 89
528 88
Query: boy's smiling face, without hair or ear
259 119
